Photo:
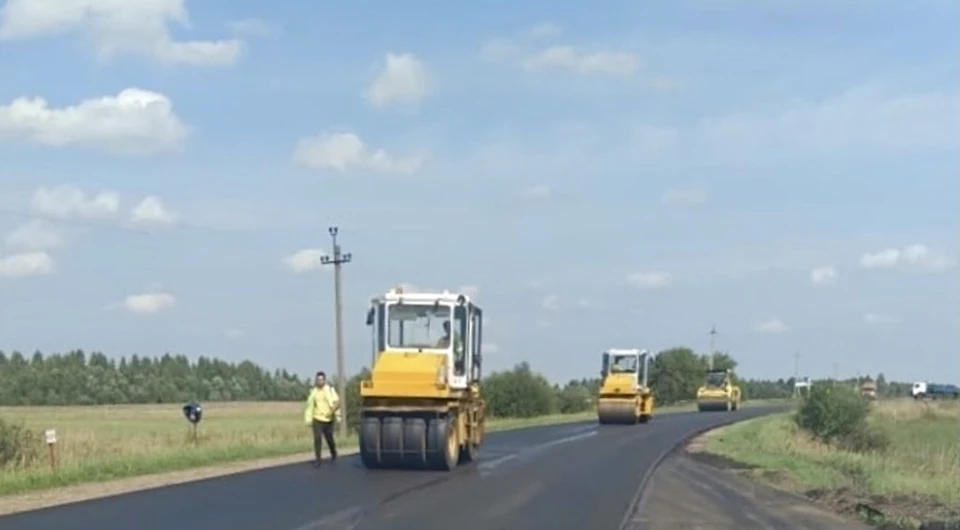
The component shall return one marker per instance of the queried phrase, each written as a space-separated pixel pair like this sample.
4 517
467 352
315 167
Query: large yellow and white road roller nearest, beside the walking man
421 407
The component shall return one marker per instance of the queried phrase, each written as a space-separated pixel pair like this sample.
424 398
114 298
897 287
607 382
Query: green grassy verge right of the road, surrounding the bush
916 477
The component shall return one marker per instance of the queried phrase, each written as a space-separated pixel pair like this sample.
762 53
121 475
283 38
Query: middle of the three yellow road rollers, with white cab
625 396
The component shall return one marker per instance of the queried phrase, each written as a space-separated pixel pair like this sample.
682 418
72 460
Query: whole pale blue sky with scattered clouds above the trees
601 175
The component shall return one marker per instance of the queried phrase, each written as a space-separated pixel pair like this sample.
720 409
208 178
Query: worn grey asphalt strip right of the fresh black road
691 490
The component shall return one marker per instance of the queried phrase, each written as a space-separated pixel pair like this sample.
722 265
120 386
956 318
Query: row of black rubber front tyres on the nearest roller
394 442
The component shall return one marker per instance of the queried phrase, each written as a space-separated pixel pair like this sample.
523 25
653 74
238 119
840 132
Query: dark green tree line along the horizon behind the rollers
78 378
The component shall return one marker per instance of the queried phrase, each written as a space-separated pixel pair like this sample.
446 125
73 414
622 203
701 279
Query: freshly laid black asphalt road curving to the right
573 476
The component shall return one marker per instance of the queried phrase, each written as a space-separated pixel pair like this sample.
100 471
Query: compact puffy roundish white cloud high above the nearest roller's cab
402 79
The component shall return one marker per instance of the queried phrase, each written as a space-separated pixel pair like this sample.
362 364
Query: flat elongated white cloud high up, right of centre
583 62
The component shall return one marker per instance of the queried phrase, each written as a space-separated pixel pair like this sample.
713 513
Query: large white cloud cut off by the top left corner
117 27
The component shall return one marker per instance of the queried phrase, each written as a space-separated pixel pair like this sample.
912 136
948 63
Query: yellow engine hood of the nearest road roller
407 374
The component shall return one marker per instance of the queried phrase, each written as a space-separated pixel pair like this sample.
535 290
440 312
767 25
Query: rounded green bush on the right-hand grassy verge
836 414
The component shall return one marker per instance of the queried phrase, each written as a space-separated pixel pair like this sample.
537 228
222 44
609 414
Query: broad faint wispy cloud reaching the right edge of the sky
863 119
